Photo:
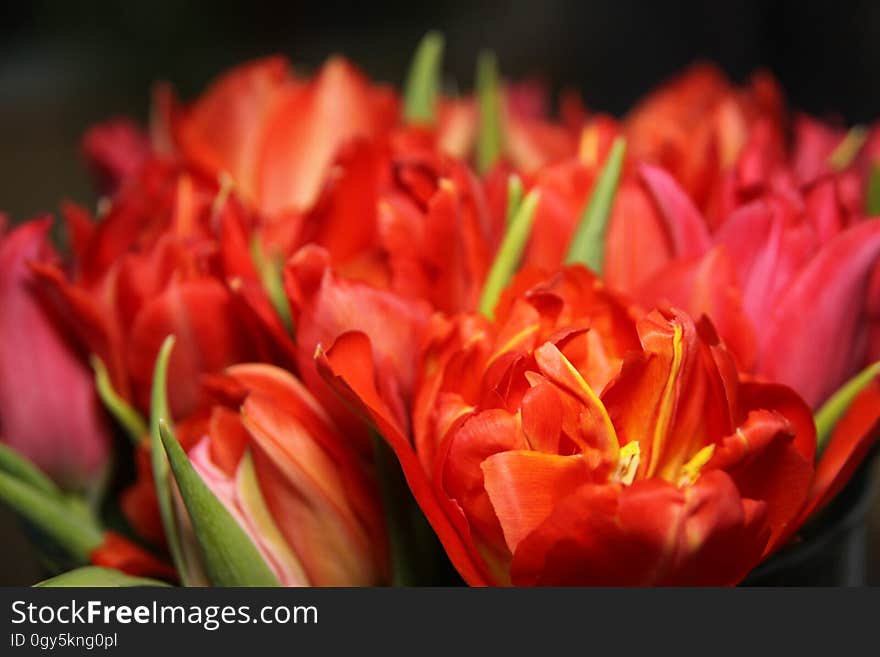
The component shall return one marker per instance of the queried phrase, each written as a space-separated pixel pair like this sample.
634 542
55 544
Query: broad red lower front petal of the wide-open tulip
650 533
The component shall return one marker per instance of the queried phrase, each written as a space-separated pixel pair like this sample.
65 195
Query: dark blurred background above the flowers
65 65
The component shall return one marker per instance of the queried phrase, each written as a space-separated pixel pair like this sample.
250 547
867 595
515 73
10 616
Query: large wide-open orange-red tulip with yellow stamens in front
566 434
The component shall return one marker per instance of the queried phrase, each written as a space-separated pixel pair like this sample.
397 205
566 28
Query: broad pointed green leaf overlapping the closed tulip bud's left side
230 558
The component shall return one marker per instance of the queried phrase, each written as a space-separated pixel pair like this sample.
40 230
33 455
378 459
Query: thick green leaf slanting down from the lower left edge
52 516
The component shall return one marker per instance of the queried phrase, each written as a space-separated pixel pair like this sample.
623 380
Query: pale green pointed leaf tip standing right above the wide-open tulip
588 244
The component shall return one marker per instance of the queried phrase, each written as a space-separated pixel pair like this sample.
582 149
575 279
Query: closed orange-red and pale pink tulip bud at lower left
280 466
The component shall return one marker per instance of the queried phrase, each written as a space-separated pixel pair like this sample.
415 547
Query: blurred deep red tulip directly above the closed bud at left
152 266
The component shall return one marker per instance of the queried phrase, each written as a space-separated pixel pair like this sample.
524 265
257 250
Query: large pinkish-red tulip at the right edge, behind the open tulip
769 263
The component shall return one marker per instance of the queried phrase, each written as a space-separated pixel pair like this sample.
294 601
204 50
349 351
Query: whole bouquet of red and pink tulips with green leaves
322 332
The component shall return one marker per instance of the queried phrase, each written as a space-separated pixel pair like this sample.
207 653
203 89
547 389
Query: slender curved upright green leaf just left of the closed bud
160 413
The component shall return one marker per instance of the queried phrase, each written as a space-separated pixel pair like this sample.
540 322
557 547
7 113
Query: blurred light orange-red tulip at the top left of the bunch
277 134
